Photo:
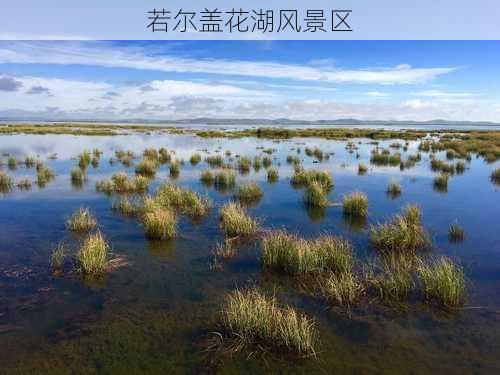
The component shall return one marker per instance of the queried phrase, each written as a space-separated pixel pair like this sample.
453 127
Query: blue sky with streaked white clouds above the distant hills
301 80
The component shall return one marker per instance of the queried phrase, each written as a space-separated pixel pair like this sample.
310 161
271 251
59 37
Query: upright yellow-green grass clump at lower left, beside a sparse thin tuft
92 256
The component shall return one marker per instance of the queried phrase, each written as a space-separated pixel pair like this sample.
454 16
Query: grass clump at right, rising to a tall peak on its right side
405 233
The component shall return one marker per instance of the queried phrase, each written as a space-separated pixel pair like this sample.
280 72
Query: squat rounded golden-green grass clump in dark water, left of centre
159 223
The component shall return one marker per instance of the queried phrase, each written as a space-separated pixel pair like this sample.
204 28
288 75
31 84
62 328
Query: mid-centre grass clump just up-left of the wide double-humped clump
236 222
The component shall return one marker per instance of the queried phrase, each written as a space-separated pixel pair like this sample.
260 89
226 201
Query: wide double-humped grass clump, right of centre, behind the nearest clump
294 255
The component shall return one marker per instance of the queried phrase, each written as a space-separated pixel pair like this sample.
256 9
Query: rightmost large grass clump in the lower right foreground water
443 282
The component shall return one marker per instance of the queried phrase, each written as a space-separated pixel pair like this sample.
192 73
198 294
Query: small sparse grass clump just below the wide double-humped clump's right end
343 289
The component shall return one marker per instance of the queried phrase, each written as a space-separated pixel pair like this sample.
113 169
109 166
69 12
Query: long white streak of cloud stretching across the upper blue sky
108 55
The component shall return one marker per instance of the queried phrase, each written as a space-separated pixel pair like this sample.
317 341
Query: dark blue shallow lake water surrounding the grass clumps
156 313
